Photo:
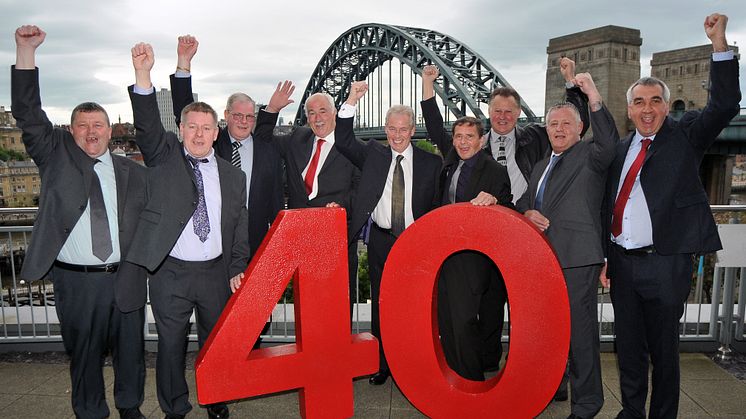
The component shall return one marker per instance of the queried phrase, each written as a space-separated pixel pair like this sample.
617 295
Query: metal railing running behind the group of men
27 311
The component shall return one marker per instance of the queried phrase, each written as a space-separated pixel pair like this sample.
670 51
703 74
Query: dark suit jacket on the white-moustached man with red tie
338 177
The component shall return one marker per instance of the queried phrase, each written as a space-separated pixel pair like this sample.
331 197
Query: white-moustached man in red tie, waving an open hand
316 173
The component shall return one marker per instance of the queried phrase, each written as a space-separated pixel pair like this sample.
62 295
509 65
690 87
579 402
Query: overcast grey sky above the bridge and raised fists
249 46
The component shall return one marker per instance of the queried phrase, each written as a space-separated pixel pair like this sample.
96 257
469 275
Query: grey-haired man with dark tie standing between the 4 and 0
398 184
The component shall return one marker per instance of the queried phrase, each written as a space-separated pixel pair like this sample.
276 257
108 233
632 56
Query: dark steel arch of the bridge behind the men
466 77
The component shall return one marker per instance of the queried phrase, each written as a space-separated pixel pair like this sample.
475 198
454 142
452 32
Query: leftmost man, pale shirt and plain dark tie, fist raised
87 194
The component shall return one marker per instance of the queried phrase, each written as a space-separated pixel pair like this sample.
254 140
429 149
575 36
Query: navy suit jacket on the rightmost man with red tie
680 213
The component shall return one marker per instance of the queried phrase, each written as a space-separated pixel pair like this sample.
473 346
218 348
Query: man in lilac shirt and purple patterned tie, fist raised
192 234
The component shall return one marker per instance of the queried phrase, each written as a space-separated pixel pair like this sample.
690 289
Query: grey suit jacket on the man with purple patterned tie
172 195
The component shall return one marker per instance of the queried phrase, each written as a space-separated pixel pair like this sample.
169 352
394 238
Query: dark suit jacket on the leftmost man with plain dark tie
66 172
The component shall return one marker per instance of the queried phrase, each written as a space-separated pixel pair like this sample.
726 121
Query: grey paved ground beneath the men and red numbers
38 386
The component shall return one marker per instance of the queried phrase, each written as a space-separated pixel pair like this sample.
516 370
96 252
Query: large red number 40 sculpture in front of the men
309 246
